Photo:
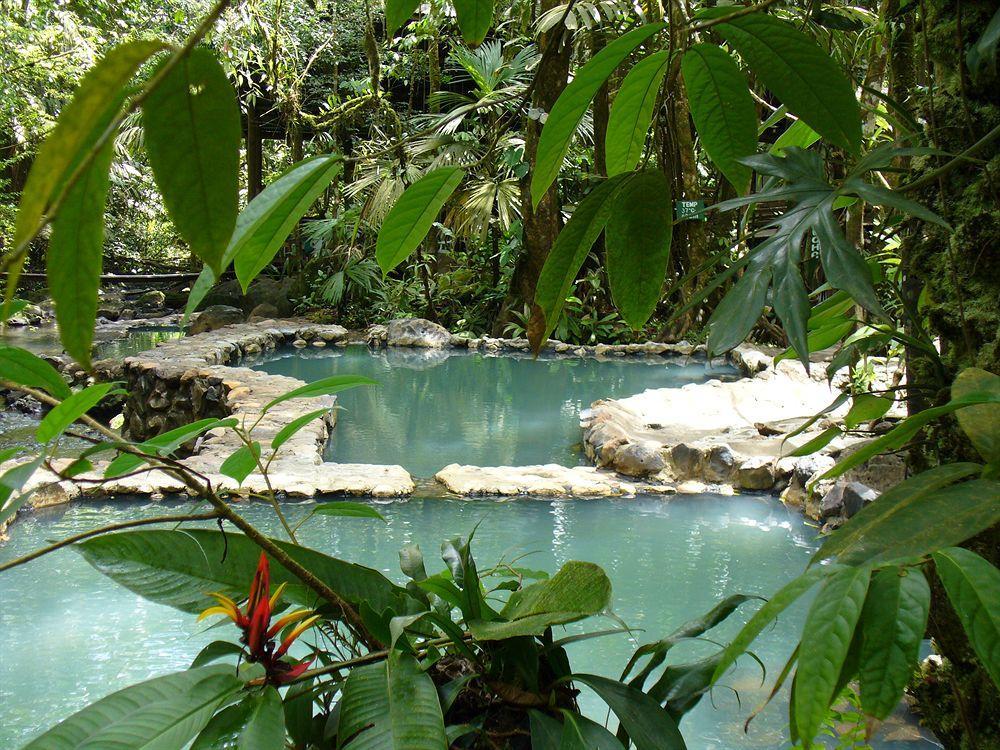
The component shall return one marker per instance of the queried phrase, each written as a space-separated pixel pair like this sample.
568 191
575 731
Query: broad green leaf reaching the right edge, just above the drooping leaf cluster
917 517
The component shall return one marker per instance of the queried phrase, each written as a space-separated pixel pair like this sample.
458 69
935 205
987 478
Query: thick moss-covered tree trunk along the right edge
957 268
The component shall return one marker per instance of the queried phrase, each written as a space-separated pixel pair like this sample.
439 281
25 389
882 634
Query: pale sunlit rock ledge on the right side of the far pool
732 433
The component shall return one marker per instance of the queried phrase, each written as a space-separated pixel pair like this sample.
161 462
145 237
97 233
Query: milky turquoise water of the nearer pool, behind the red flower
70 636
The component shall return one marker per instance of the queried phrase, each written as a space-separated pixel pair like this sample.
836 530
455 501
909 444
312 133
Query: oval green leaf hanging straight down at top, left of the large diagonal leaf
722 109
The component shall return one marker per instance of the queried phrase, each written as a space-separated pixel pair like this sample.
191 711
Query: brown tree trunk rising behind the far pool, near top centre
541 225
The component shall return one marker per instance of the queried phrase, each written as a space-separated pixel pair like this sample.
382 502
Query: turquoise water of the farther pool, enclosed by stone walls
436 407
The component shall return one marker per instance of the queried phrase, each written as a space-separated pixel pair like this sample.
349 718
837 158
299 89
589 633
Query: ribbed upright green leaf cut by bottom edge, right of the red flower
391 706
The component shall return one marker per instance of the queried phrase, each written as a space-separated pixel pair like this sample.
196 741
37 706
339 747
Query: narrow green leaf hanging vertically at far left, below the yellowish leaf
73 260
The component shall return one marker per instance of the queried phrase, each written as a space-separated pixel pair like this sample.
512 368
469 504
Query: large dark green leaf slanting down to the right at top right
800 73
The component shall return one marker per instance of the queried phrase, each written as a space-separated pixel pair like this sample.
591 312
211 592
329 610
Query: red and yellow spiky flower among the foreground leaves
258 632
